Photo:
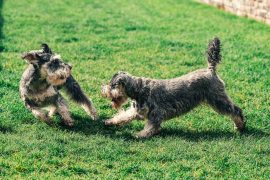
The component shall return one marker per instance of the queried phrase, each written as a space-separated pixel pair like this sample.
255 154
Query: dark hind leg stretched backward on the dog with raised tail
222 104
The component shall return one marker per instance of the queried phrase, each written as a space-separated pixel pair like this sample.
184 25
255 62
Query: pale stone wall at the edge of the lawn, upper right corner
257 9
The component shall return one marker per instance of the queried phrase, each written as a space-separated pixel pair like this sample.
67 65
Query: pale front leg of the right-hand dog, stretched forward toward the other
123 117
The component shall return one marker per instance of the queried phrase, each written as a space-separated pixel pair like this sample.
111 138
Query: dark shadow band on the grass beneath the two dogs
87 126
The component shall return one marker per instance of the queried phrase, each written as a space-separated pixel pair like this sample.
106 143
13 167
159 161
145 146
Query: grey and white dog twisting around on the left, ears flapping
45 75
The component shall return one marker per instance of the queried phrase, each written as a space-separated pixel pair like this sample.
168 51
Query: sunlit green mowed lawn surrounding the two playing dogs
157 39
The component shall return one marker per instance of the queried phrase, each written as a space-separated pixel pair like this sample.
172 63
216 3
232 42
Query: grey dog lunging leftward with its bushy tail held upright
159 100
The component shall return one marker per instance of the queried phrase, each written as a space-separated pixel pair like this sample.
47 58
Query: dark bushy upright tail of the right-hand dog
213 53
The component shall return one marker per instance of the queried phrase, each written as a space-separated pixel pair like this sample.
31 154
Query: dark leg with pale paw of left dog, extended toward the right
76 93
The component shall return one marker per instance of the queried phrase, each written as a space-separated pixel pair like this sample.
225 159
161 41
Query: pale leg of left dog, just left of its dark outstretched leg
62 109
